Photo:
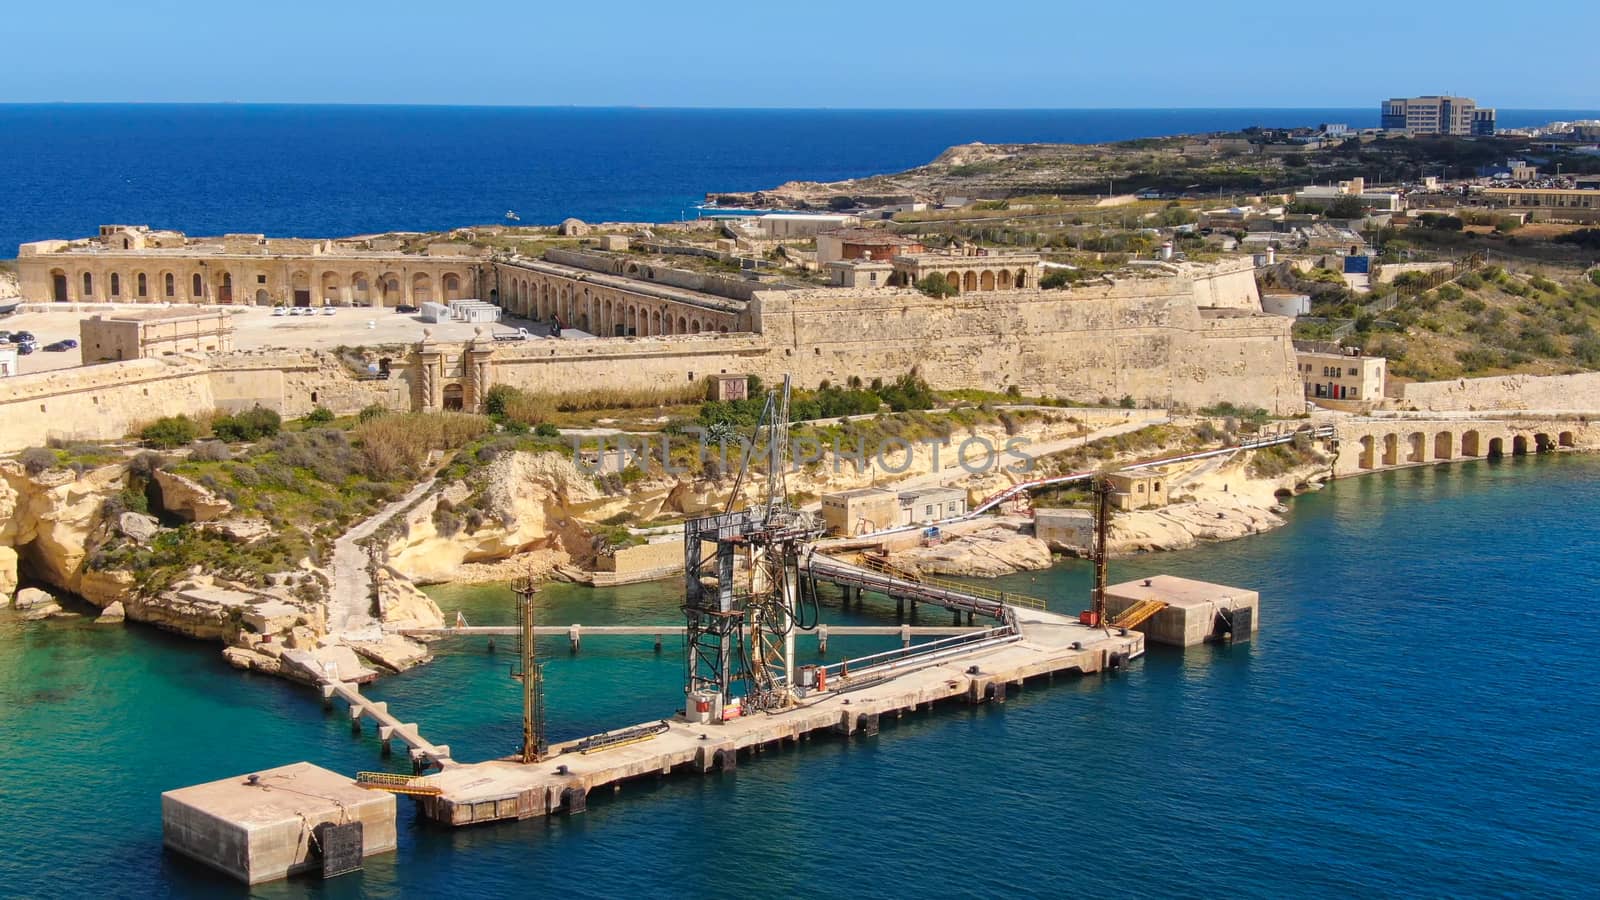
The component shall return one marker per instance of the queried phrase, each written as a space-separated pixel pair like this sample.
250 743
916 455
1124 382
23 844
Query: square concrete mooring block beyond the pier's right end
1196 611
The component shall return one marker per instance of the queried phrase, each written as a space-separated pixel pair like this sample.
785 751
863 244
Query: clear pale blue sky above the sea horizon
823 54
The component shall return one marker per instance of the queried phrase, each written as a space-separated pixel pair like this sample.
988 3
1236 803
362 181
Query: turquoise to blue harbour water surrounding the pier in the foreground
1418 717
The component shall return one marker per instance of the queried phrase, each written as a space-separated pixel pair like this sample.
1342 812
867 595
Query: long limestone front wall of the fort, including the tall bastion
1142 339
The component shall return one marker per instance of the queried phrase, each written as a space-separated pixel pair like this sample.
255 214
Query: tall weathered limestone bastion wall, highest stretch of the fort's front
1135 339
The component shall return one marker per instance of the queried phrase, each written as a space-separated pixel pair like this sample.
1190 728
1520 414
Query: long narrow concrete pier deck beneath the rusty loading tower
1046 645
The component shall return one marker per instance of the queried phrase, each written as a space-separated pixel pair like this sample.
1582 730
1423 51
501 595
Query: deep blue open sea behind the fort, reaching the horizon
335 171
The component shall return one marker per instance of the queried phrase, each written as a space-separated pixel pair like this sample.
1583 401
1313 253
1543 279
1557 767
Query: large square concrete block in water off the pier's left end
279 822
